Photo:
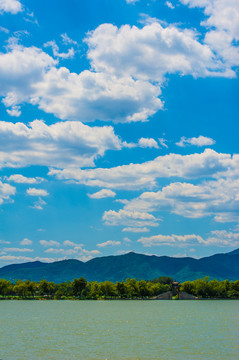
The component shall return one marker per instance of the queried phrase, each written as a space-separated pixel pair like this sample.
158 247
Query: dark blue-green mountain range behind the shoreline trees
131 265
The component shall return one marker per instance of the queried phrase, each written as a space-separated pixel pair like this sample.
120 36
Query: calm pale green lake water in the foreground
165 329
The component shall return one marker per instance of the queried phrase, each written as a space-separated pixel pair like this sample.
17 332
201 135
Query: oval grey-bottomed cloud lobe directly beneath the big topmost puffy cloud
96 95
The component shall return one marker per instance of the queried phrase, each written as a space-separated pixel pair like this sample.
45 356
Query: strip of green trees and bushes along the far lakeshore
130 289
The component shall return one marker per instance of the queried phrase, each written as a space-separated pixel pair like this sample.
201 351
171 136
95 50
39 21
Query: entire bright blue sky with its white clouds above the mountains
118 129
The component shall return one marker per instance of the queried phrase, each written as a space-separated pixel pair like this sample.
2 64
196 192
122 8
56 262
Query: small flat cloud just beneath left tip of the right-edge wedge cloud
129 218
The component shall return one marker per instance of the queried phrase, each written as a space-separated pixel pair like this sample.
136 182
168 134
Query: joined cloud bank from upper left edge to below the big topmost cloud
30 75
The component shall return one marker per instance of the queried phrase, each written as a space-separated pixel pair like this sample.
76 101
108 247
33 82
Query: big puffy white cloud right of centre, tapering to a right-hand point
151 52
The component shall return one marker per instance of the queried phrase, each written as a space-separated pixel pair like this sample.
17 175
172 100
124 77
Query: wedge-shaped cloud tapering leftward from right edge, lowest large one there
217 198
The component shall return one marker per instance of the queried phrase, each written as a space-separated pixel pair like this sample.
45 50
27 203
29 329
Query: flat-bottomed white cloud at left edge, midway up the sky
57 145
